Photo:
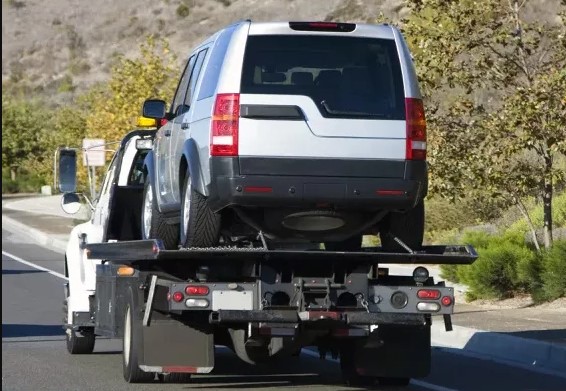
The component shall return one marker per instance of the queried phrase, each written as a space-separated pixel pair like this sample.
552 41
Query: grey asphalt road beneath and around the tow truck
34 355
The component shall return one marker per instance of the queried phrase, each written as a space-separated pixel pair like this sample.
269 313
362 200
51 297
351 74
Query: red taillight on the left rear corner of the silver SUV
225 123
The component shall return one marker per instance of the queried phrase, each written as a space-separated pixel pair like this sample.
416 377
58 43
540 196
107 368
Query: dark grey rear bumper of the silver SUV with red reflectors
351 185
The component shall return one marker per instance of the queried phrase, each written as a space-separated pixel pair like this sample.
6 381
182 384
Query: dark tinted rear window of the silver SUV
347 77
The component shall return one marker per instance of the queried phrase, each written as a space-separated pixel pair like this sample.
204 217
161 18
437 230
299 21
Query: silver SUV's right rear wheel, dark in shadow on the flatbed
408 226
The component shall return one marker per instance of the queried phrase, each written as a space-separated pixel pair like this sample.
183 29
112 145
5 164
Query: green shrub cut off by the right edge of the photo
554 271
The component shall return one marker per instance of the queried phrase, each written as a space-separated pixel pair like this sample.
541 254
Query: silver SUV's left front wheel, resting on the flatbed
153 224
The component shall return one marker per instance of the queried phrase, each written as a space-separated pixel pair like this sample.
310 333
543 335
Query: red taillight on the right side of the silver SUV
416 129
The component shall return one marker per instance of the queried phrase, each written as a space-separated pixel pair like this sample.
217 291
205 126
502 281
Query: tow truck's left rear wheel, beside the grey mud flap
131 343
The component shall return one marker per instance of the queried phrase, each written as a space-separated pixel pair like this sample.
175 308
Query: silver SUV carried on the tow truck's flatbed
299 131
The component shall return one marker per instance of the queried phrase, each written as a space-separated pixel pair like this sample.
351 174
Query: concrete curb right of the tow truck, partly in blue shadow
532 354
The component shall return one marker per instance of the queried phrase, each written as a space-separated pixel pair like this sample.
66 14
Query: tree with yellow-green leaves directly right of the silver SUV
477 63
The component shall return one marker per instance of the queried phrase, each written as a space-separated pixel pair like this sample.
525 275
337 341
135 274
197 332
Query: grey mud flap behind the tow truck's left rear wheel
171 346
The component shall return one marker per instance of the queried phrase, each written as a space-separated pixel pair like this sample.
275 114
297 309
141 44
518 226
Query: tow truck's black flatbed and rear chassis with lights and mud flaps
171 307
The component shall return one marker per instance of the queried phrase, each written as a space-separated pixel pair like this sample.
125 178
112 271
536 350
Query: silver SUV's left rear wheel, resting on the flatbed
200 226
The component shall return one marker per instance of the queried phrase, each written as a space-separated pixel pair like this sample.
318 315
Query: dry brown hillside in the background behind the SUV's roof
47 43
